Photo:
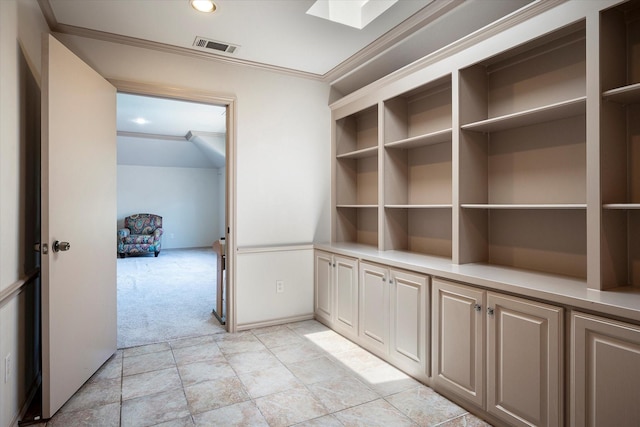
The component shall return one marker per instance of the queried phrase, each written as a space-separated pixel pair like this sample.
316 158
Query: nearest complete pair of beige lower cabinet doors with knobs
502 353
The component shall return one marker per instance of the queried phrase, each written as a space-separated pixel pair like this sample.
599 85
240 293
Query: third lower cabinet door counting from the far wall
374 307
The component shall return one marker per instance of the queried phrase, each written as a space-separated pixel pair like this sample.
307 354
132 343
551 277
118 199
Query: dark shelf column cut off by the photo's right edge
620 144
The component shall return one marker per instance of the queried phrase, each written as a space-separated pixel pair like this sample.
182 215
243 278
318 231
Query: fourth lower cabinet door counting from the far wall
409 325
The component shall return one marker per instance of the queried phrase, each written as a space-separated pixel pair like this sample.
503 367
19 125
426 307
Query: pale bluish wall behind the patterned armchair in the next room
188 200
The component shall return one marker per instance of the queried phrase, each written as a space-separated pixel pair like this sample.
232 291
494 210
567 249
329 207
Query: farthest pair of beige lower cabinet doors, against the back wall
336 292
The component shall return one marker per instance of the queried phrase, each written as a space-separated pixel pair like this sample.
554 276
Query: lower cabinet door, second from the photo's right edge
524 361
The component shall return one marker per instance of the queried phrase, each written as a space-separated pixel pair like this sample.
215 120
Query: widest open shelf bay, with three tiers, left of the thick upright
523 157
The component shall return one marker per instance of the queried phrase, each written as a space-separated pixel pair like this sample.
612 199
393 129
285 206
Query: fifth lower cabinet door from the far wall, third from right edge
458 340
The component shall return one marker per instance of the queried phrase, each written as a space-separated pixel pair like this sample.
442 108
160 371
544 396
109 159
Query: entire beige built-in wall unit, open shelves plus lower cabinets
511 164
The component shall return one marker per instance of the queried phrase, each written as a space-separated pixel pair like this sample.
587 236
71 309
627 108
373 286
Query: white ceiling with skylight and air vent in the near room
280 35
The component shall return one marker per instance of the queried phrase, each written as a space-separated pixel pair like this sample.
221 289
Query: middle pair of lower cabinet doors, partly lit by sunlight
394 318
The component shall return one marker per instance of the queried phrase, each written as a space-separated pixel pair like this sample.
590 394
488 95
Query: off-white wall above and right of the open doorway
282 161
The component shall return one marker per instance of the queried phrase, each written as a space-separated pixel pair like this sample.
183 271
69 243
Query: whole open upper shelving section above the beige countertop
492 159
